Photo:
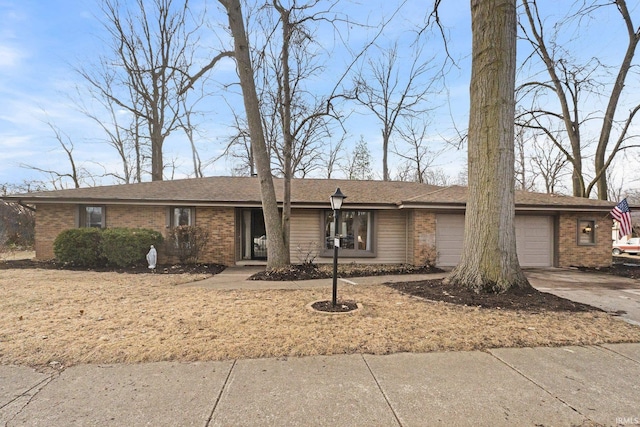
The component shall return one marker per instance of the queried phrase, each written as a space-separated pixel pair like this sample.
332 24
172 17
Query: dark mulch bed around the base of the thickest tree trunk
530 300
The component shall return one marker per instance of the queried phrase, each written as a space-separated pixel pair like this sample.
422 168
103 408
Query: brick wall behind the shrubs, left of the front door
219 222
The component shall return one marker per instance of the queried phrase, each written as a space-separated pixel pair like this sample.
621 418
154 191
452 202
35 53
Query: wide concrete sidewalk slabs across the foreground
568 386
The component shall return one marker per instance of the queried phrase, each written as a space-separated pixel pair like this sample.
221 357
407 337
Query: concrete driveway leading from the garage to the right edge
616 295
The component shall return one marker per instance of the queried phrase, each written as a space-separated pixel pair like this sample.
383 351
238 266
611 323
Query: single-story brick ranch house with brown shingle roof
382 222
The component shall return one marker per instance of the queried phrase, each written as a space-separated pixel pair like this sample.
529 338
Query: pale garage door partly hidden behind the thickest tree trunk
534 237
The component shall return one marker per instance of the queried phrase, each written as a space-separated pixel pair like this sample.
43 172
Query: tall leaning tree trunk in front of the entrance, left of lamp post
277 253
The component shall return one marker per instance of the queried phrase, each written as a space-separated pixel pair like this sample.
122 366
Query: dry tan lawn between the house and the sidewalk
84 317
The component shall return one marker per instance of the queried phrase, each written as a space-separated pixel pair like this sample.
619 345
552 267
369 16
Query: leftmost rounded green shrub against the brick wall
79 247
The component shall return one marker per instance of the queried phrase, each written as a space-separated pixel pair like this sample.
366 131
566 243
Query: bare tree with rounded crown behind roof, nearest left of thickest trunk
392 89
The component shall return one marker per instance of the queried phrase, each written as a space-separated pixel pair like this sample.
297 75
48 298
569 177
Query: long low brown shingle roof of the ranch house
304 192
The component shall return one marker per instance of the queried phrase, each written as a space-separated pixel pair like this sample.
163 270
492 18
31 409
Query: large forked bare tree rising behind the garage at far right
569 83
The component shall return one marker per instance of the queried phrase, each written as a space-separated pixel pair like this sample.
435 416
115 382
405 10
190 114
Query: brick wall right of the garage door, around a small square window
570 254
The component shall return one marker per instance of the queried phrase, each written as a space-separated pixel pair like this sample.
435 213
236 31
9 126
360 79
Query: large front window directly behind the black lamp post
356 232
